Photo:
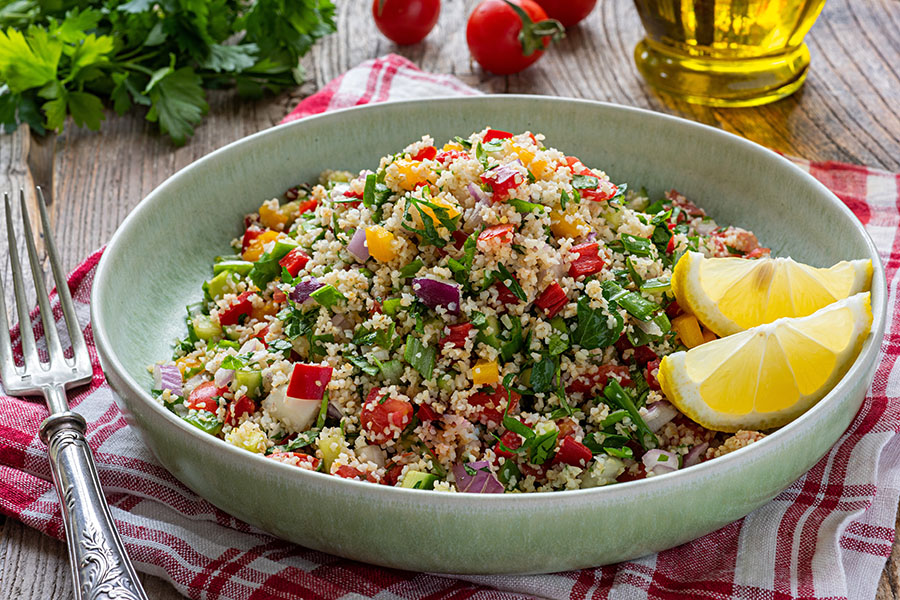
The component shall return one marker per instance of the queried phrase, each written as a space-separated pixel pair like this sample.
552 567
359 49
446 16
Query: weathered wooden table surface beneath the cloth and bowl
848 110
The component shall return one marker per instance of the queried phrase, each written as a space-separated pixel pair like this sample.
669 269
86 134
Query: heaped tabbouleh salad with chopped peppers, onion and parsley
485 316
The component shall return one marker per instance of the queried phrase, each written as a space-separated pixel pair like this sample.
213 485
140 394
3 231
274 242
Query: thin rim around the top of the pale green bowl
867 355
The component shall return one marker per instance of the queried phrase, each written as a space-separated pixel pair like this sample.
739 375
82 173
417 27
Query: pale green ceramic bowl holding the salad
158 258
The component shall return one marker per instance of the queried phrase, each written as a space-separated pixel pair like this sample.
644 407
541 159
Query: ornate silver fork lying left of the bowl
100 566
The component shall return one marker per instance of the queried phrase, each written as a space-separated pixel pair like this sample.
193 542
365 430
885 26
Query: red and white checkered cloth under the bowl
827 536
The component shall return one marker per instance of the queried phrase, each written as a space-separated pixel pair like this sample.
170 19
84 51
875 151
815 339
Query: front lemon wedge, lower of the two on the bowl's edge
768 375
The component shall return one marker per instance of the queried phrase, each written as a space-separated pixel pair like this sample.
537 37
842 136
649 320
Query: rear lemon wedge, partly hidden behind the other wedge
729 295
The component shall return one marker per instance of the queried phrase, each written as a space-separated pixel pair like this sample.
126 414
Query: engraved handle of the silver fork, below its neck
100 566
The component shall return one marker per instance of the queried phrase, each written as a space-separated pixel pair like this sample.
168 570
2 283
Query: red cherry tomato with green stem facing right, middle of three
493 35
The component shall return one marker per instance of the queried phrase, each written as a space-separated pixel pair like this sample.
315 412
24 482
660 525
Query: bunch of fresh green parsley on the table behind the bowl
69 57
